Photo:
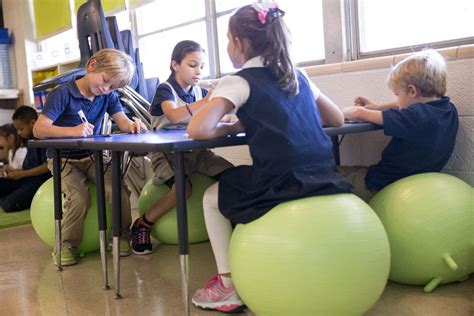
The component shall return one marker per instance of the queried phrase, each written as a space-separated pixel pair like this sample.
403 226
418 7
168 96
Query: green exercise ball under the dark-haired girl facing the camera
166 228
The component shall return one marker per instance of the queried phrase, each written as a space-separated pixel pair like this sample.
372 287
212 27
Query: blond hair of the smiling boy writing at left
115 63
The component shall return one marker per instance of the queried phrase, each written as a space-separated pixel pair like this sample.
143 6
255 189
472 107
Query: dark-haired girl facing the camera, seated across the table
176 101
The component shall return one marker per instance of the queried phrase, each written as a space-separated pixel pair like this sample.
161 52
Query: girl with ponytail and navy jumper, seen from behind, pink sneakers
282 114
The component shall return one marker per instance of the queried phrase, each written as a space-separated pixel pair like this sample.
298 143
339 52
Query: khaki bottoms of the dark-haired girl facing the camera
209 164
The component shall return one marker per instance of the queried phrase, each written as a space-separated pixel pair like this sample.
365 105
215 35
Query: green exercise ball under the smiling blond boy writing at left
42 218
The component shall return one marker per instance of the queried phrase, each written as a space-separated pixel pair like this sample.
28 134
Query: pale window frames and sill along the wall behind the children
341 35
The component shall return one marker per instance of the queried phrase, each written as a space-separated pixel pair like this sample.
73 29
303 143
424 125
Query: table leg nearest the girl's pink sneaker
180 180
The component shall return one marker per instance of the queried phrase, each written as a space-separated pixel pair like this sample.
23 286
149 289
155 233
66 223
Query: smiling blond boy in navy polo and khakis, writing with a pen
93 94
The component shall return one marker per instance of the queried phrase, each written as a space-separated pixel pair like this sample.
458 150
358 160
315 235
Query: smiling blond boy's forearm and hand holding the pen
44 128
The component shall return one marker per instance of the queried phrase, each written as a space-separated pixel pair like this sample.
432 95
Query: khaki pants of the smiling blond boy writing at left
77 200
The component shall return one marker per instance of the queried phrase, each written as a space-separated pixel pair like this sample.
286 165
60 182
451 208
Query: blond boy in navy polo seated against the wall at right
423 124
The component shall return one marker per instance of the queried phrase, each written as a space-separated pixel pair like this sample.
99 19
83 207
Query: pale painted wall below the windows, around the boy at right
365 149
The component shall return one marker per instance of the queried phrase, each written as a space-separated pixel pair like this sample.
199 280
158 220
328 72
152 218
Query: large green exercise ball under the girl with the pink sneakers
323 255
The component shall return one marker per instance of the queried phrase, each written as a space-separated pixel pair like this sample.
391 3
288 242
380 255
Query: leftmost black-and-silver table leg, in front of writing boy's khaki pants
58 205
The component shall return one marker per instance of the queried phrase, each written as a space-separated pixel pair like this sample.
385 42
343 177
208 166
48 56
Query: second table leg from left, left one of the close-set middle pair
101 213
